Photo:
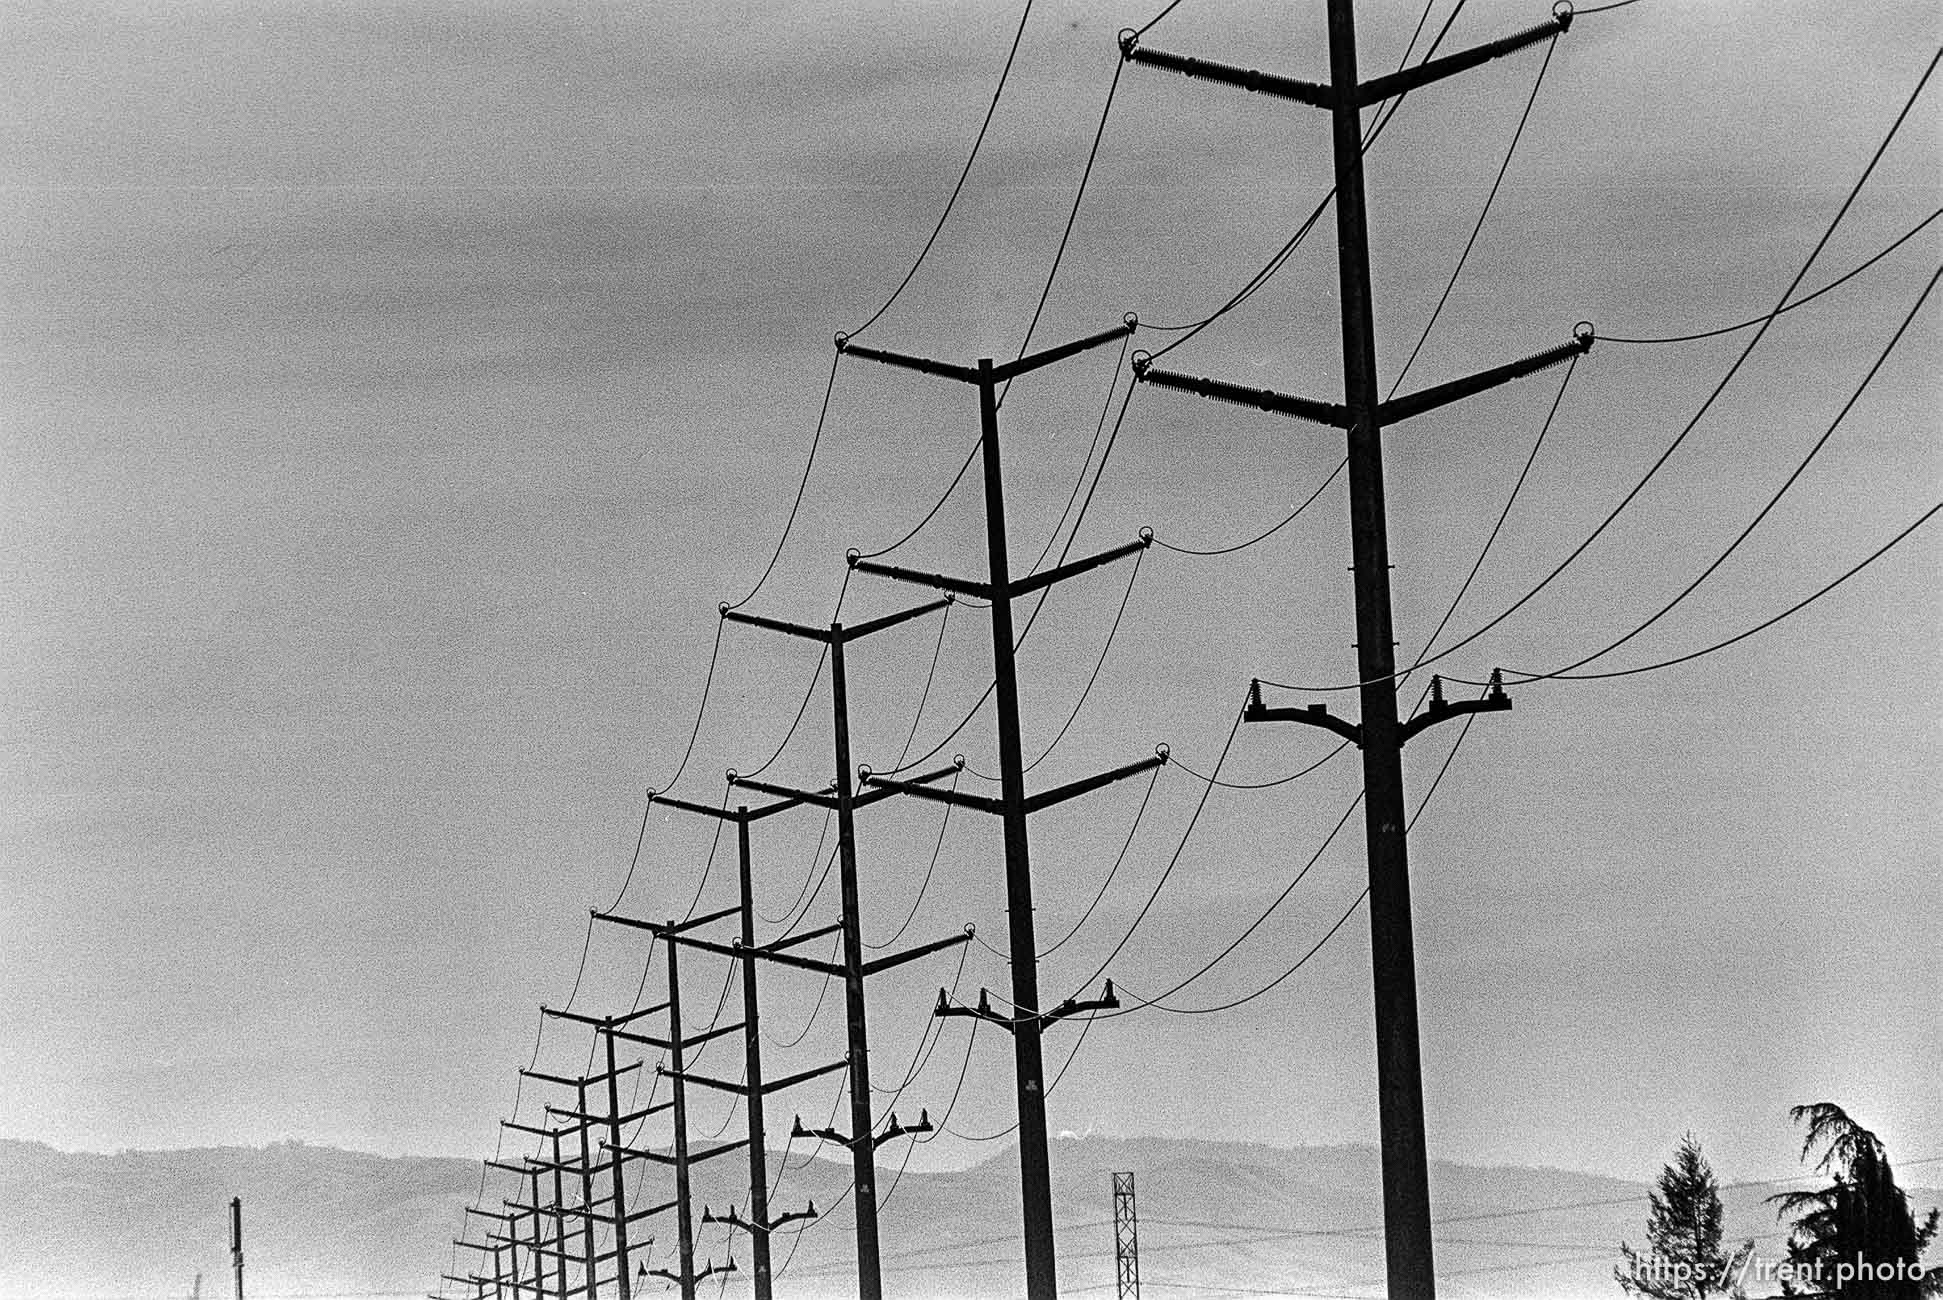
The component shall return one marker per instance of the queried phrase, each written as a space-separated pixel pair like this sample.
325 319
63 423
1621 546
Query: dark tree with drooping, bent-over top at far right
1855 1239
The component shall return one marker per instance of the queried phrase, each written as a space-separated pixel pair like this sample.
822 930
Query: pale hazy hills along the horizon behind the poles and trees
1213 1215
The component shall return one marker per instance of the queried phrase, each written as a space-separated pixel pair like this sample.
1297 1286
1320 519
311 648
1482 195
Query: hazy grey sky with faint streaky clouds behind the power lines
392 395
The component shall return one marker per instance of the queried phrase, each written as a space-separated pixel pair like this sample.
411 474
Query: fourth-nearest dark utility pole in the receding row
753 1089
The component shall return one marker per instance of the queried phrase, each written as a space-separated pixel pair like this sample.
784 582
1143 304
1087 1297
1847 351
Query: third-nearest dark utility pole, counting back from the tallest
844 802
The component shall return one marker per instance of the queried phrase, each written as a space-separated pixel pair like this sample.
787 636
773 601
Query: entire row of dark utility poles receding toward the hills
547 1245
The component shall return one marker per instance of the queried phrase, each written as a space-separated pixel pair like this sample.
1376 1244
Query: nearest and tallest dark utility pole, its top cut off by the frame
1363 417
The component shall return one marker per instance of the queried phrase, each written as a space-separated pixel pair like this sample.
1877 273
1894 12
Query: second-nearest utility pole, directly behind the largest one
1013 805
